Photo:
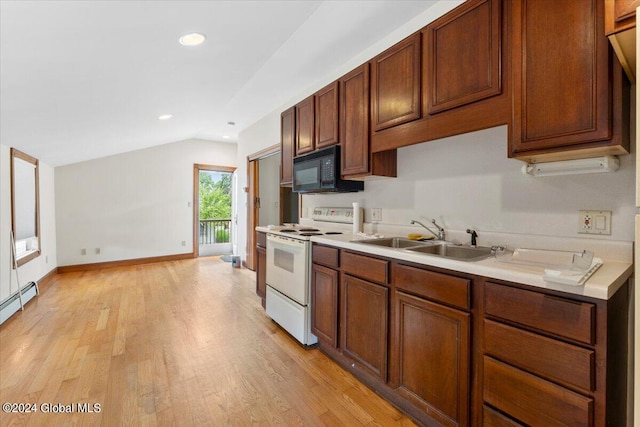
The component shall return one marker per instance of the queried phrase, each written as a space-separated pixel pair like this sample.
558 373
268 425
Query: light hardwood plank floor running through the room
172 343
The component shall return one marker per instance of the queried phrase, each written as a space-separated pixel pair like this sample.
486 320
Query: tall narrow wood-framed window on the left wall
25 212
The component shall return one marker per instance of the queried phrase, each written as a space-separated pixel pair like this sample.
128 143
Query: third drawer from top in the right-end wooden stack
532 400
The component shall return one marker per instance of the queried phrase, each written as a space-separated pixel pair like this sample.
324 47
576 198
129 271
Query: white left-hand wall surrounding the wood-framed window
37 268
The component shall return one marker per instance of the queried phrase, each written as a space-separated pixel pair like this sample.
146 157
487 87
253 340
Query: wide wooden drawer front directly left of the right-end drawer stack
437 286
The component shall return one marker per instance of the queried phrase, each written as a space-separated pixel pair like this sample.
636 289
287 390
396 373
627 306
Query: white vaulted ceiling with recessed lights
86 79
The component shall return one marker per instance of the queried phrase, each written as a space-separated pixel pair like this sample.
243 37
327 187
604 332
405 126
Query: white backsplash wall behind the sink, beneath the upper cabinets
467 181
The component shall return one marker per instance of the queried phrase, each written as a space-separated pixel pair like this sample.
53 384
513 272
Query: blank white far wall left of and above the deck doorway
132 205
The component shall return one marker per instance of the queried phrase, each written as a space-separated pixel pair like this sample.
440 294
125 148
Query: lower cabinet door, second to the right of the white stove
364 324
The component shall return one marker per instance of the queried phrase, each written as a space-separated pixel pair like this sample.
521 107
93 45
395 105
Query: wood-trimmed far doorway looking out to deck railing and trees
213 228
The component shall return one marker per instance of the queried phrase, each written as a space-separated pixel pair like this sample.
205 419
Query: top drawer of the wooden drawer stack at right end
566 318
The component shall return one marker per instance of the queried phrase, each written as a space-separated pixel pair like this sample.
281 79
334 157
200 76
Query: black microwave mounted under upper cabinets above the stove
319 172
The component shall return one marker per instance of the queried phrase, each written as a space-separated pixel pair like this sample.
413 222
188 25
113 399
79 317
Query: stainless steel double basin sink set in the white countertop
435 248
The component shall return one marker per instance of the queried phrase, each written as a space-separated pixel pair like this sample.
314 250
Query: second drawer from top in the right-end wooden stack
544 356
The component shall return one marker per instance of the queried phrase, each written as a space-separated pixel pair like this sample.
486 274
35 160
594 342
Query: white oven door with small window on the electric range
288 267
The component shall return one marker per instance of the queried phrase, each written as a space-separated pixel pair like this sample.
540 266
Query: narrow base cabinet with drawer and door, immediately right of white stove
324 294
